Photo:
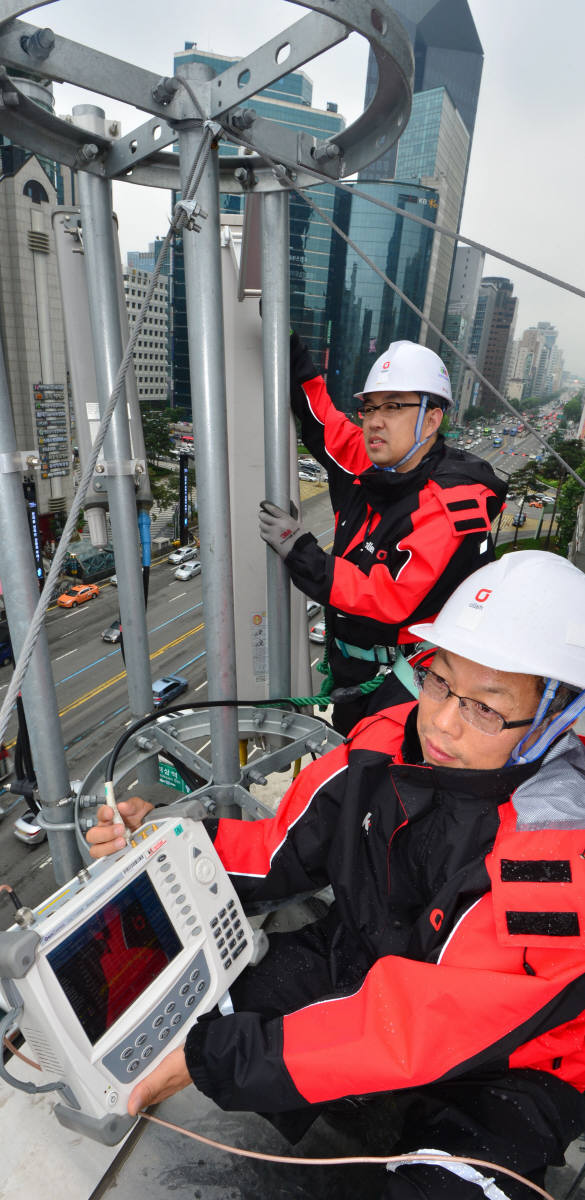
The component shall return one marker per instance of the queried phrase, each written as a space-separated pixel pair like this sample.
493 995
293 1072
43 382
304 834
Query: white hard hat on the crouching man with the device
523 614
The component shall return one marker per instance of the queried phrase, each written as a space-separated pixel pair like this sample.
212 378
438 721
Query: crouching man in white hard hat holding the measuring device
442 1001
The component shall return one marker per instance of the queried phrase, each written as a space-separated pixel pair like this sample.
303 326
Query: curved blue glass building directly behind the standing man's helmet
363 314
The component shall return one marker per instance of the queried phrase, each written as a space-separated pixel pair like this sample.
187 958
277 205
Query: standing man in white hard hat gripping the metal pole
413 518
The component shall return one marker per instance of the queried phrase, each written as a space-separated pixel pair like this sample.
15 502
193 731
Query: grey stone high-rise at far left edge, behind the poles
32 317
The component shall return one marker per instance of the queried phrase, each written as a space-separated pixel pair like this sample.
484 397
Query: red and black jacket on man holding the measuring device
467 919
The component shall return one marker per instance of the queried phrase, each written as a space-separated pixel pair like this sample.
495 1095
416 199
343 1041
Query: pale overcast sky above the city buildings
527 177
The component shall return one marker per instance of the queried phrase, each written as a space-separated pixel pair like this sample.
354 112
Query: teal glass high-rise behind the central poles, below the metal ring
287 103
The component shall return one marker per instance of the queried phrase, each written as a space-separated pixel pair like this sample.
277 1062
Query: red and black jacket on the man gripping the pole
403 542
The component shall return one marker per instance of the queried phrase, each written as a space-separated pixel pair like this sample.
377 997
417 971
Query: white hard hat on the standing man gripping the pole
407 367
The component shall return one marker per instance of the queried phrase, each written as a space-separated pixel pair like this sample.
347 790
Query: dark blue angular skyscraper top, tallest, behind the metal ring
448 55
